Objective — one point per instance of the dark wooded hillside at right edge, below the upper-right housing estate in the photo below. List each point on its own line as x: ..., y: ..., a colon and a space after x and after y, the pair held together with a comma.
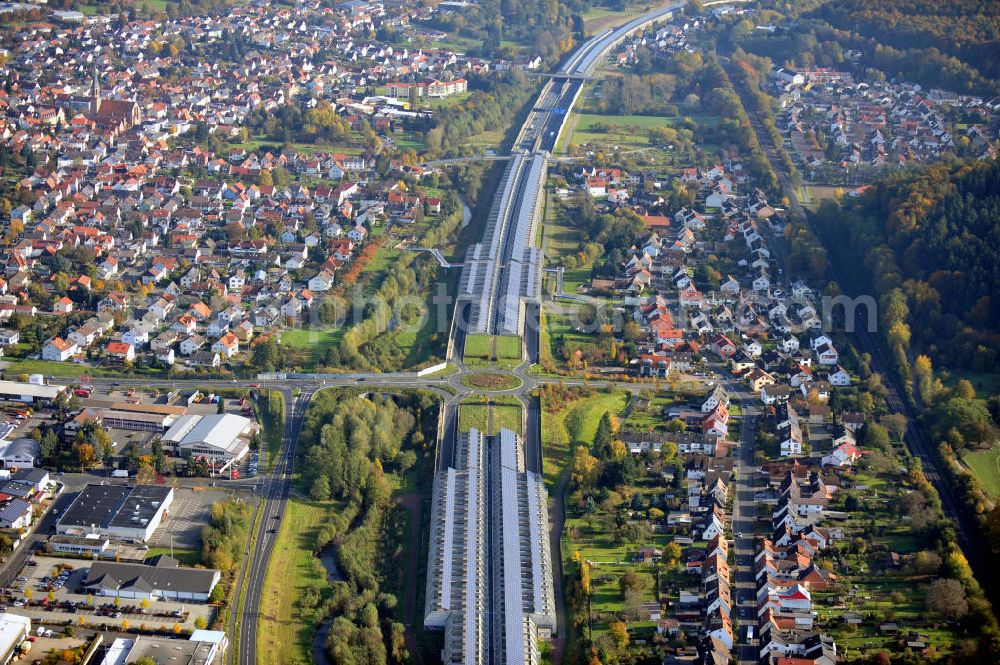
x: 927, y: 242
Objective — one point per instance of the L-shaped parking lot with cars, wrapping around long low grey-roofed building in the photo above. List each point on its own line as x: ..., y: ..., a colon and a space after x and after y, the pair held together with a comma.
x: 53, y: 587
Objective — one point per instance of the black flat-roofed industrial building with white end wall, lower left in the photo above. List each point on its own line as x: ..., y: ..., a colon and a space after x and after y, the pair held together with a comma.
x: 122, y: 513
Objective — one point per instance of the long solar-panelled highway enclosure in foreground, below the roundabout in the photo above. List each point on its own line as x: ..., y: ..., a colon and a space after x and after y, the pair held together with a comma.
x: 489, y: 569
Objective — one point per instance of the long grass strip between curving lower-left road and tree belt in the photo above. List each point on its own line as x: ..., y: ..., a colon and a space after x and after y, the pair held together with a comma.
x: 285, y: 631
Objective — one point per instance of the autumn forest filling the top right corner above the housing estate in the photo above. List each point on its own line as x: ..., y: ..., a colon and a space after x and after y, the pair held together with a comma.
x: 950, y: 45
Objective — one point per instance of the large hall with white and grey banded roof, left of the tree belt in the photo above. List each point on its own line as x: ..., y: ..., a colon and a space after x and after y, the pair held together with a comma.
x: 221, y: 438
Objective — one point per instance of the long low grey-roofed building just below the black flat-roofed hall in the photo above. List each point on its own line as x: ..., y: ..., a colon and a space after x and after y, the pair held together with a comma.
x: 157, y: 578
